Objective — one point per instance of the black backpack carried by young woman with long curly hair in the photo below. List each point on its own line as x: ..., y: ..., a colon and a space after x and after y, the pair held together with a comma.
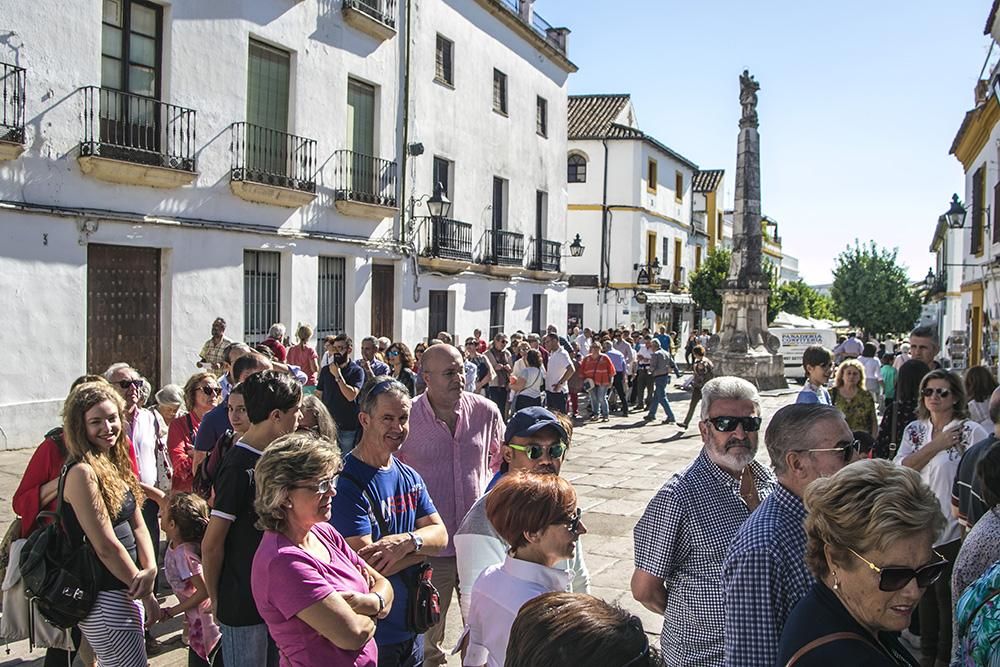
x: 60, y: 576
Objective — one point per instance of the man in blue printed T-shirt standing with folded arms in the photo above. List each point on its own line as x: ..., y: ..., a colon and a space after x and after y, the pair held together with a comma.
x: 383, y: 510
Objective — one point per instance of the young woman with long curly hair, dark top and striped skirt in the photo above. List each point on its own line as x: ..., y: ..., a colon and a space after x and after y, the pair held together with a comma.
x: 103, y: 502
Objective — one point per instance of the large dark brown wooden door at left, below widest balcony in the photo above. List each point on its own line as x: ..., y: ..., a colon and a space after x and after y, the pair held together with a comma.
x: 123, y: 309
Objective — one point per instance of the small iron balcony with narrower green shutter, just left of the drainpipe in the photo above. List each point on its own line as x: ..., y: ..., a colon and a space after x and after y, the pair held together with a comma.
x: 365, y: 186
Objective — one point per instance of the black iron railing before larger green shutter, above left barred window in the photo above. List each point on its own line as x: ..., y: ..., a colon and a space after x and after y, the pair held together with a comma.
x: 271, y: 157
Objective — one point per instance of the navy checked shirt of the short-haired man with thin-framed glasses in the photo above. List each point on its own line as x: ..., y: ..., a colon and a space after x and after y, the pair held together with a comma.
x: 763, y: 578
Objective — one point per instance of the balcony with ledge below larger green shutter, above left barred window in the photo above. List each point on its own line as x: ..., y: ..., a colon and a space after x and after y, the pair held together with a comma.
x: 272, y: 167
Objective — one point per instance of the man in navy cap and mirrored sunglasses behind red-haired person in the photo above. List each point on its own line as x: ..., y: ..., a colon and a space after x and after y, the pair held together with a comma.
x: 535, y: 440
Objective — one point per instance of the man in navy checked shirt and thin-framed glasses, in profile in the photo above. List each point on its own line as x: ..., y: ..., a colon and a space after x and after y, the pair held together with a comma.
x: 765, y: 575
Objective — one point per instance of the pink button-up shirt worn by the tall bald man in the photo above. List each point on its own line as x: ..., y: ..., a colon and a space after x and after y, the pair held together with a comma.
x: 456, y: 468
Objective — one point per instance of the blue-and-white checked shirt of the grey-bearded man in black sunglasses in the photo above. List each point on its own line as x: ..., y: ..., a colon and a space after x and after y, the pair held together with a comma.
x: 683, y: 538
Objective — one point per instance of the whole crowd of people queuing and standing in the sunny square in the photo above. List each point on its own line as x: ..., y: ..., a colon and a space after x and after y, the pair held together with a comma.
x: 327, y: 509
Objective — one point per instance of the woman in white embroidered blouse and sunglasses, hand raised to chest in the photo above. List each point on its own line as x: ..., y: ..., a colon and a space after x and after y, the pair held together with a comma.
x: 933, y: 445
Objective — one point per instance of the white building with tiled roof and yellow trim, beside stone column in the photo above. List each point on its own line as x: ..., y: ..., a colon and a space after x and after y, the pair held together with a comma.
x: 631, y: 201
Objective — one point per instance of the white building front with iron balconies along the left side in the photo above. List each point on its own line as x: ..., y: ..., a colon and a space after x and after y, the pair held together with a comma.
x: 166, y: 163
